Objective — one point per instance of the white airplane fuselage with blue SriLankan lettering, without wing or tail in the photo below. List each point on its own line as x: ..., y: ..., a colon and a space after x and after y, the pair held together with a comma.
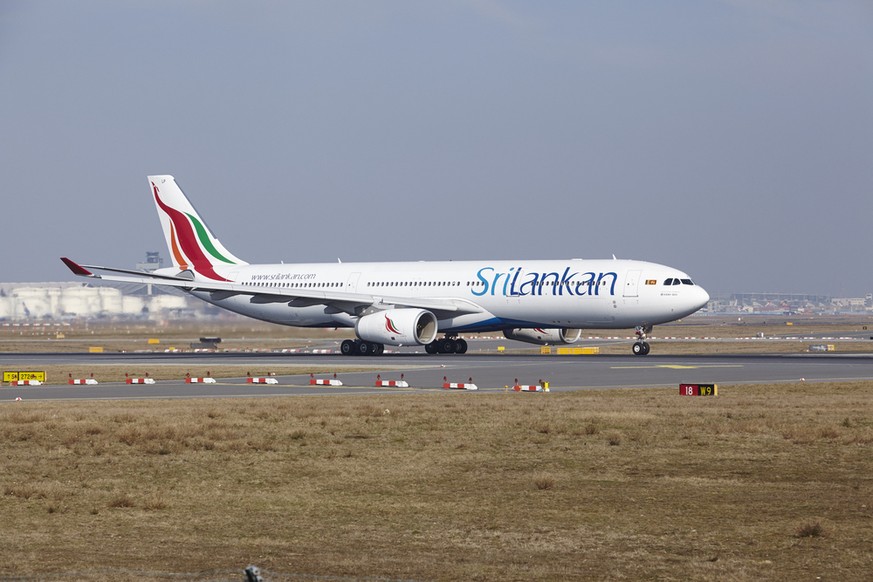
x: 577, y: 293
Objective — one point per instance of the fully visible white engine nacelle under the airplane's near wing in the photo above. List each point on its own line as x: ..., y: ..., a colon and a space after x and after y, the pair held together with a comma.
x: 398, y: 327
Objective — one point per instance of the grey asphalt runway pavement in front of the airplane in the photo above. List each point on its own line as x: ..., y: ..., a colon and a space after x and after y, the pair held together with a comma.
x: 489, y: 372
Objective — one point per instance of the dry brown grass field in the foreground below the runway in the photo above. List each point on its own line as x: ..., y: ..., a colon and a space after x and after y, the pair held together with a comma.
x: 761, y: 482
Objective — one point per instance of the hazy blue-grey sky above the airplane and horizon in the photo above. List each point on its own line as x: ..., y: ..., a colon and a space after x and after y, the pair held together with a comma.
x: 731, y: 139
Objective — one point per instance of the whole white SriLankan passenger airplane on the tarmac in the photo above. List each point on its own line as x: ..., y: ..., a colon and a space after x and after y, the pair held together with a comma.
x: 545, y: 302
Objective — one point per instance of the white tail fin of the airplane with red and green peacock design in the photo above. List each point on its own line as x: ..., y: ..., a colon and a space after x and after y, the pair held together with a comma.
x: 191, y: 243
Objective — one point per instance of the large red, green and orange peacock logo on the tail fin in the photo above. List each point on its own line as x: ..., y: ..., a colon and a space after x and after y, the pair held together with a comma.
x: 189, y: 238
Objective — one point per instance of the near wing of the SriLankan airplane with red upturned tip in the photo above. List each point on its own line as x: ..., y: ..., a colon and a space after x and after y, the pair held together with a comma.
x: 351, y: 303
